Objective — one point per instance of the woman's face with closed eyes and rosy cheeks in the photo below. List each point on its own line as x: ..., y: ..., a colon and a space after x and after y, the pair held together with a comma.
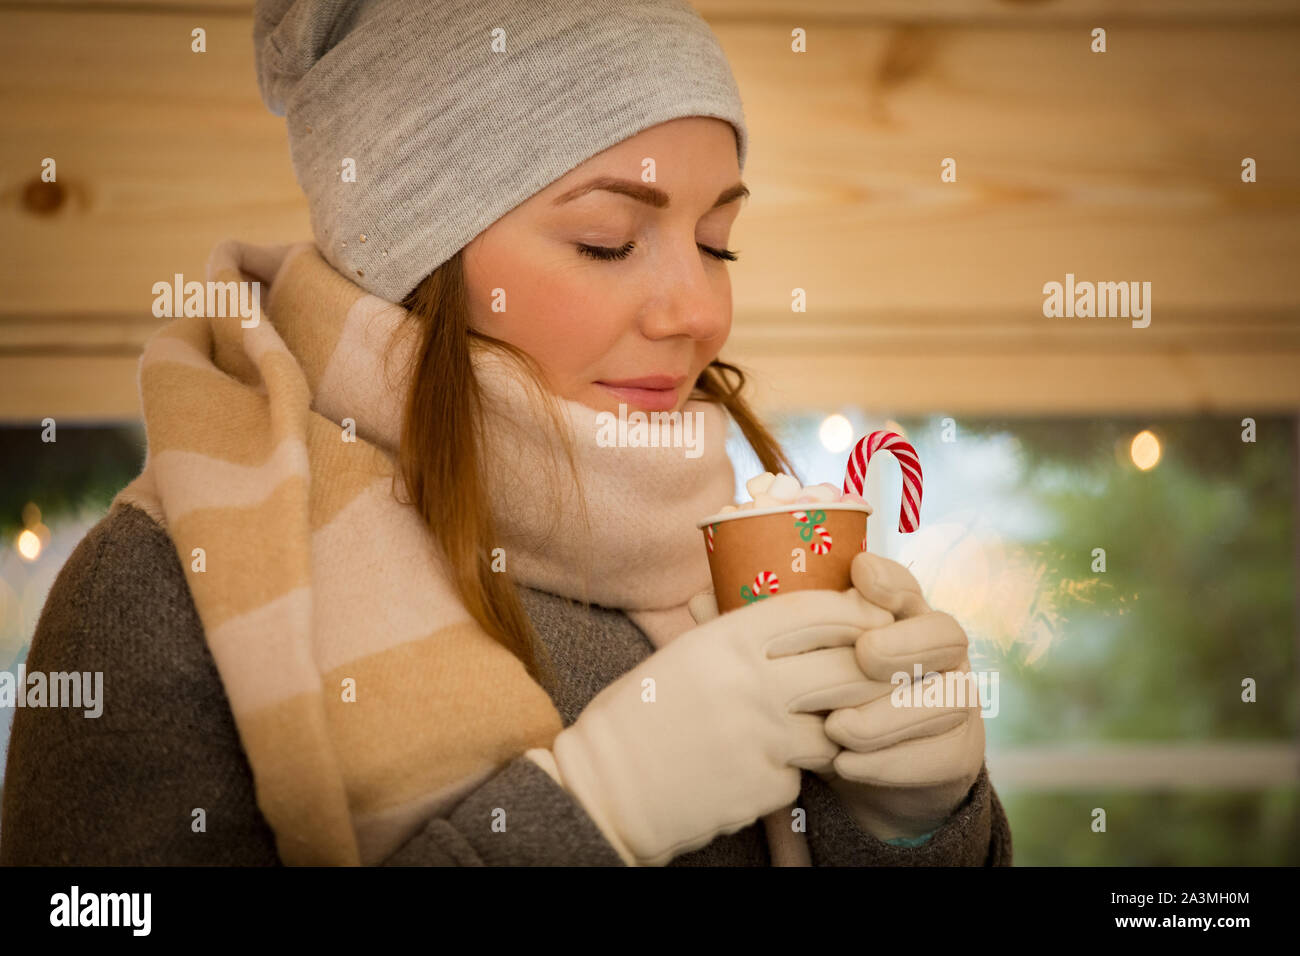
x: 619, y: 296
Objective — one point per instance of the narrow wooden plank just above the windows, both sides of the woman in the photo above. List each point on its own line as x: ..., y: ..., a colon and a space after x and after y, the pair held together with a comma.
x: 903, y: 364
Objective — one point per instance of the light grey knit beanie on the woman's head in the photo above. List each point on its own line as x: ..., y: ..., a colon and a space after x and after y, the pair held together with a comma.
x: 447, y: 133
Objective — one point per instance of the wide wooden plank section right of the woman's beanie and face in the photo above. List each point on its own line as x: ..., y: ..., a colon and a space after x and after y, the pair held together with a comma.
x: 1124, y: 167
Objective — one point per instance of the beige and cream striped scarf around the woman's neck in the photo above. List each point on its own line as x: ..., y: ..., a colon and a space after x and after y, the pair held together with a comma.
x: 366, y: 697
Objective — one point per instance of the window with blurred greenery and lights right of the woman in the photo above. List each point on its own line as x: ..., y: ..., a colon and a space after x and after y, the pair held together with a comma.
x: 1119, y: 689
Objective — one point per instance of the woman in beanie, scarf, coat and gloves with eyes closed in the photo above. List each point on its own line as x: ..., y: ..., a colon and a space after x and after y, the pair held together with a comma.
x: 382, y: 596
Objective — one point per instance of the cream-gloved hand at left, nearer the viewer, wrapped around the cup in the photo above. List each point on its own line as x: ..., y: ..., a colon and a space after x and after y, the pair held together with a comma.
x: 710, y: 733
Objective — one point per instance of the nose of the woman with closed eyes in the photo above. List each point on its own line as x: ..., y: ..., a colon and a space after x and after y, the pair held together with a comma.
x: 692, y: 297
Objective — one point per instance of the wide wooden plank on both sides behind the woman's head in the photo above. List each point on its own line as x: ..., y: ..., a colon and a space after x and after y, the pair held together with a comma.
x: 1113, y: 168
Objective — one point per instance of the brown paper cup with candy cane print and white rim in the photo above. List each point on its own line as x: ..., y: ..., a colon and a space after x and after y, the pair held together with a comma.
x: 752, y: 555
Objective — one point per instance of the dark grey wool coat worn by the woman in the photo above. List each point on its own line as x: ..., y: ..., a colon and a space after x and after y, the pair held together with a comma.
x: 116, y: 790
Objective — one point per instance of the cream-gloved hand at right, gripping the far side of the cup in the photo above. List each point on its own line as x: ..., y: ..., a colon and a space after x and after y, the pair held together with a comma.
x: 905, y: 769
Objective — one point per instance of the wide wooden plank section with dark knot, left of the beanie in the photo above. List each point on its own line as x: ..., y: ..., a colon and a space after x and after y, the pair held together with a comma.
x: 162, y: 154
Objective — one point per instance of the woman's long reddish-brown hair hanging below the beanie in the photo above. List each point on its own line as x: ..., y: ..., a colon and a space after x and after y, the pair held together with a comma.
x: 441, y: 455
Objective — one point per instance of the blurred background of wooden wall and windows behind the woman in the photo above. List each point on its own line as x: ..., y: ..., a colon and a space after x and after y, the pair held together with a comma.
x: 1043, y: 440
